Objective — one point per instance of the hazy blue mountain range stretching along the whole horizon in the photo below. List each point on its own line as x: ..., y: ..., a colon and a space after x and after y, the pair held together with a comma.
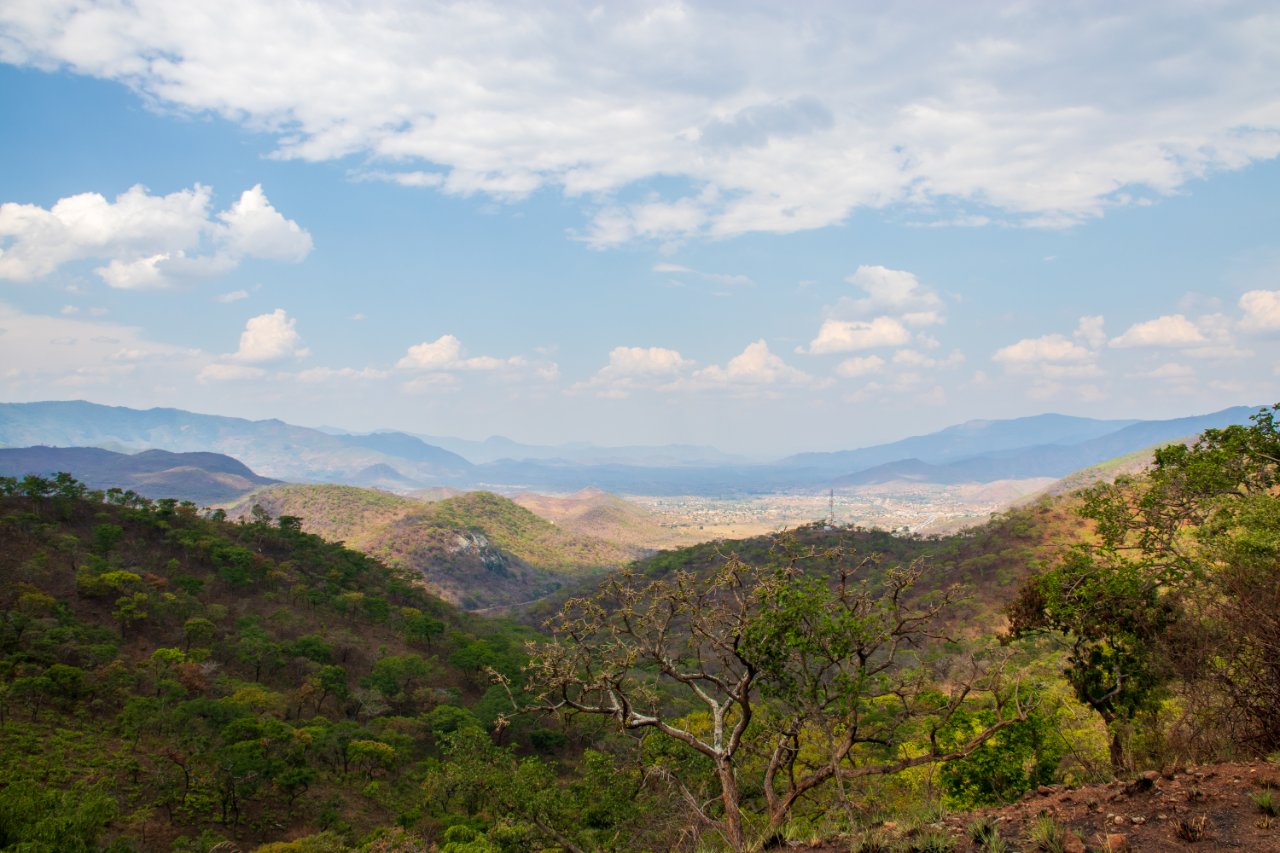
x: 981, y: 451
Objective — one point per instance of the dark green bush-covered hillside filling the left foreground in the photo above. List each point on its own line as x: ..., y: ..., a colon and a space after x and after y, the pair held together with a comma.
x: 168, y: 682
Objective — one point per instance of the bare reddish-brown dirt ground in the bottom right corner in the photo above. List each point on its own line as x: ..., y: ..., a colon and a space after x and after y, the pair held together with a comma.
x: 1183, y: 809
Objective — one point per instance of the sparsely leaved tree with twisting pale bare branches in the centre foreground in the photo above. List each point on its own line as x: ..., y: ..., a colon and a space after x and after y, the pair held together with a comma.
x: 817, y: 677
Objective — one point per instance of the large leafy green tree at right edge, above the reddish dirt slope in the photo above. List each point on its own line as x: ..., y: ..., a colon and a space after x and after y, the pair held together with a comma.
x: 1181, y: 586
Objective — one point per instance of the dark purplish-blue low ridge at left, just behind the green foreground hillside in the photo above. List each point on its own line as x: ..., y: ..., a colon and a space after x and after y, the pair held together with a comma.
x: 204, y: 478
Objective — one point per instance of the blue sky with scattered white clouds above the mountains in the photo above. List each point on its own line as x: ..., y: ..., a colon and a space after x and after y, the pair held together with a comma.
x: 760, y: 226
